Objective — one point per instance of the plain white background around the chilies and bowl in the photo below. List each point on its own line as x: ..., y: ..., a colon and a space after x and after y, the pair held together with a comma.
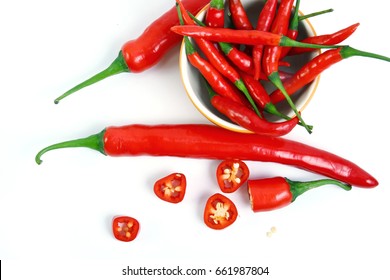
x: 55, y: 219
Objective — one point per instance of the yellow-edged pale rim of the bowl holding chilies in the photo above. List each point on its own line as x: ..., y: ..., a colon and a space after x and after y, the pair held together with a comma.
x: 210, y: 115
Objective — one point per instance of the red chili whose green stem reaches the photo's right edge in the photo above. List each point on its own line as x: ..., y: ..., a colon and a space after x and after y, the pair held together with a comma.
x: 316, y: 66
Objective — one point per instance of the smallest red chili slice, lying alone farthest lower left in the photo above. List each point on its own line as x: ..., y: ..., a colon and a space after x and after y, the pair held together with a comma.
x: 125, y: 228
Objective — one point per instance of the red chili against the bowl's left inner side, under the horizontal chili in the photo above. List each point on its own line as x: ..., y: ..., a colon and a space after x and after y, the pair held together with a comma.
x: 219, y: 84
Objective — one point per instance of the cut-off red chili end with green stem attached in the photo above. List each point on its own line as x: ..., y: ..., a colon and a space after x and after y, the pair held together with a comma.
x: 277, y: 192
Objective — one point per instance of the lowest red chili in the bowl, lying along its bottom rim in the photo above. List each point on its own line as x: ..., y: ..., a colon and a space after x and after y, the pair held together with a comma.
x: 247, y: 118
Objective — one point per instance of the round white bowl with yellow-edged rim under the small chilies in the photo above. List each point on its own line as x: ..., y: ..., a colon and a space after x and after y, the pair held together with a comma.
x: 198, y: 94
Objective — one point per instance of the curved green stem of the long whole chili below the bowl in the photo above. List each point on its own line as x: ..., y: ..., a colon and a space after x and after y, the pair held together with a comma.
x: 94, y: 142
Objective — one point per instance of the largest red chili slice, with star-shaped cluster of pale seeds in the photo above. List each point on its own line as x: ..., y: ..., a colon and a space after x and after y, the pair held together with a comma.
x: 219, y: 212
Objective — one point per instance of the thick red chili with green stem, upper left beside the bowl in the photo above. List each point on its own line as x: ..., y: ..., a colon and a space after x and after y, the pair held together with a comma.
x: 145, y: 51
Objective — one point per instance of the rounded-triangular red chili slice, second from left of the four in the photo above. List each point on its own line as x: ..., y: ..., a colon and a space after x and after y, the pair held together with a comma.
x: 171, y: 188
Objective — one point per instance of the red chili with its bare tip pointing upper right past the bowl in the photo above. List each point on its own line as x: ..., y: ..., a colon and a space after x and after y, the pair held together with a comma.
x: 328, y: 39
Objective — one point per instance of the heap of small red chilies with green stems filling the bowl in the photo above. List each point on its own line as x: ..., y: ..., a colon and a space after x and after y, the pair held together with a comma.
x: 254, y: 53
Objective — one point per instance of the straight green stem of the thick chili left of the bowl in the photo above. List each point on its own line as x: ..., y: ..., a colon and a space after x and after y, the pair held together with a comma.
x: 117, y: 66
